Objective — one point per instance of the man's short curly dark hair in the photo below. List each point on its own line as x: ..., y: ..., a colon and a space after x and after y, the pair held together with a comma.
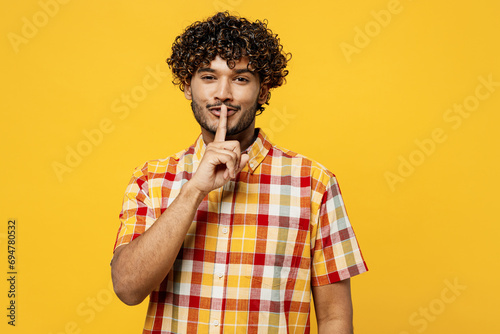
x: 230, y: 38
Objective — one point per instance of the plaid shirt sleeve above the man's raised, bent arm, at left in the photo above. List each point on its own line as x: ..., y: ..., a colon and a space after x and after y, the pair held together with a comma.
x: 137, y: 213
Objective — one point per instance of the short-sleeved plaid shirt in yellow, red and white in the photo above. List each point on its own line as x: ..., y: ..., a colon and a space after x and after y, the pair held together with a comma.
x: 255, y: 247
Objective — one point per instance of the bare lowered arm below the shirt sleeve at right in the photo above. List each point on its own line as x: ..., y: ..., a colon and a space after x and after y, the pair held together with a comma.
x: 333, y: 307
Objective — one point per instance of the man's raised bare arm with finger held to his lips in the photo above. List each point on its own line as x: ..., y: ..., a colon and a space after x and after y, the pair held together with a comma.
x: 140, y: 266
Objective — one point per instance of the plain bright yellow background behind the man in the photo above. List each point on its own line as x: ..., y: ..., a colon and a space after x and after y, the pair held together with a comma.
x: 358, y: 114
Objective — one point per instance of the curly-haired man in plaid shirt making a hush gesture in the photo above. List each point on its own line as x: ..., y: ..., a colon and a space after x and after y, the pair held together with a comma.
x: 232, y: 234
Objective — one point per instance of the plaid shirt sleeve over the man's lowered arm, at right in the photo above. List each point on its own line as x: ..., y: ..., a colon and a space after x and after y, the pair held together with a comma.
x: 335, y: 251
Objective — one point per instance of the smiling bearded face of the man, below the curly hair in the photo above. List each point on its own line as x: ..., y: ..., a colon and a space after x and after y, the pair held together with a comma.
x: 238, y: 88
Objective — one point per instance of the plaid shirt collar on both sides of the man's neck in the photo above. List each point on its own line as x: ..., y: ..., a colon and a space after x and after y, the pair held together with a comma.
x: 257, y: 151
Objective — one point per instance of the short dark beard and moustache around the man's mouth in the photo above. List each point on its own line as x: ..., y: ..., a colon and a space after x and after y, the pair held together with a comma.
x: 246, y: 120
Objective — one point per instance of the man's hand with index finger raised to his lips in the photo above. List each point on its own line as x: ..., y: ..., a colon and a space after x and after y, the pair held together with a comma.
x: 222, y: 159
